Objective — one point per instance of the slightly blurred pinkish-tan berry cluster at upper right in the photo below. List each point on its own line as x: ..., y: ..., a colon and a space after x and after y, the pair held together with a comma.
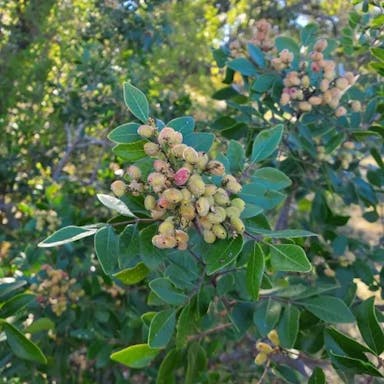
x: 316, y: 83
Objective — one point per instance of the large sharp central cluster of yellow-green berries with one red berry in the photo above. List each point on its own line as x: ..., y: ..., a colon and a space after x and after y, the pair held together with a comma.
x: 181, y: 191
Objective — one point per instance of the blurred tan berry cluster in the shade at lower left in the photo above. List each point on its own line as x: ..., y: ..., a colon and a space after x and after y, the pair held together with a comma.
x: 57, y: 290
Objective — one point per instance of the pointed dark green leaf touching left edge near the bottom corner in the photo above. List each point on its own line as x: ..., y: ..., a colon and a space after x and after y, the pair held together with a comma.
x: 21, y: 346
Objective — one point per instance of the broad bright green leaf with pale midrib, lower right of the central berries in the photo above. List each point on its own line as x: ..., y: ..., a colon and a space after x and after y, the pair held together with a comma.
x: 289, y: 257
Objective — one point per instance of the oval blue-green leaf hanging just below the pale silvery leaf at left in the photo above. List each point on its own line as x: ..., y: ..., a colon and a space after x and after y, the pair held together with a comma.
x: 107, y: 249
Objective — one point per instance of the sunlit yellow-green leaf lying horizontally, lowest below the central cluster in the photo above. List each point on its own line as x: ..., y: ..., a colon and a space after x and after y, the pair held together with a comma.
x: 135, y: 356
